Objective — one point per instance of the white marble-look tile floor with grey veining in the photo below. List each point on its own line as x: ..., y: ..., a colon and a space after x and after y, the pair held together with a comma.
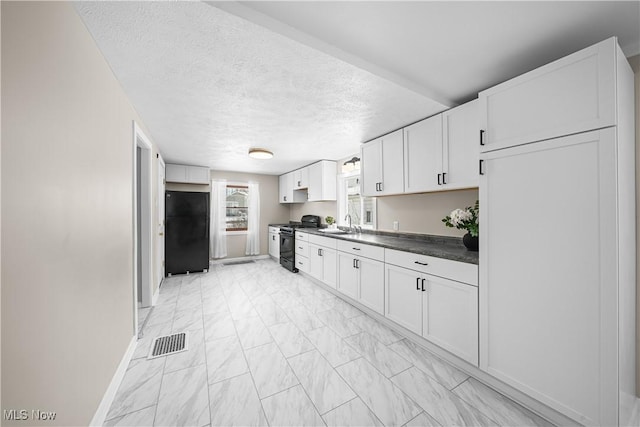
x: 272, y: 348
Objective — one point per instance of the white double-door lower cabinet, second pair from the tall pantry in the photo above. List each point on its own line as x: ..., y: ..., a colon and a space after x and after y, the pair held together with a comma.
x: 362, y: 279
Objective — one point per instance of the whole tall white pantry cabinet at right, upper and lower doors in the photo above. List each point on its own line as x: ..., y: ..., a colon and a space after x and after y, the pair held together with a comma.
x: 557, y: 253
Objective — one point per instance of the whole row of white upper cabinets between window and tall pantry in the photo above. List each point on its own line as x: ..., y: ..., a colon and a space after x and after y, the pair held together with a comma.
x: 436, y: 154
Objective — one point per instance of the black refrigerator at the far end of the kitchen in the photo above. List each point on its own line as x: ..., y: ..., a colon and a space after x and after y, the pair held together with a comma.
x: 186, y: 232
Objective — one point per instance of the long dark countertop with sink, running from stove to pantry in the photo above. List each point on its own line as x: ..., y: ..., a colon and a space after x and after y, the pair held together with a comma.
x: 424, y: 244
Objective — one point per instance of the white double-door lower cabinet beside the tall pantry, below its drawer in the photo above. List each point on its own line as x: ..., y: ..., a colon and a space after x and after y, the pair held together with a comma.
x: 443, y: 311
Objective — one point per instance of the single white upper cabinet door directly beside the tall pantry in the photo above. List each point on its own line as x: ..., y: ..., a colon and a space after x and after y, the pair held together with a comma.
x: 460, y: 146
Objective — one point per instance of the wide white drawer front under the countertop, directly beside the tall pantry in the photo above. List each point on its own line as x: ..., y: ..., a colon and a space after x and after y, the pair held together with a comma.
x: 454, y: 270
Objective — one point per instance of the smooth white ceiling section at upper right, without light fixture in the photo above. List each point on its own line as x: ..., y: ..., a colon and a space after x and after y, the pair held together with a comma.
x: 450, y: 50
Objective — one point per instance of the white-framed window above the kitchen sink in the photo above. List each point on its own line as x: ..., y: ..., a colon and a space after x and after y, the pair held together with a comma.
x: 361, y: 208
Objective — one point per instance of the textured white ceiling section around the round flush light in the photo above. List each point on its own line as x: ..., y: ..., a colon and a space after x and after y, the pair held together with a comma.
x: 210, y: 85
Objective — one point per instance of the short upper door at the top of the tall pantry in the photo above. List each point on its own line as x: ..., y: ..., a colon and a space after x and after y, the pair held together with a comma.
x: 571, y: 95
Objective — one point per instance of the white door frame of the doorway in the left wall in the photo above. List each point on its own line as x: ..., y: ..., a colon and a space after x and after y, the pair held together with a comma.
x: 141, y: 141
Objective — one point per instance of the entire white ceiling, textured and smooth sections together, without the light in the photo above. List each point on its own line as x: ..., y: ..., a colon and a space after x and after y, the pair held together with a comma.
x: 312, y: 80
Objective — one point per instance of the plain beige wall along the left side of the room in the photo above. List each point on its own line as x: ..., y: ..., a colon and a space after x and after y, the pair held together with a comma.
x: 67, y: 214
